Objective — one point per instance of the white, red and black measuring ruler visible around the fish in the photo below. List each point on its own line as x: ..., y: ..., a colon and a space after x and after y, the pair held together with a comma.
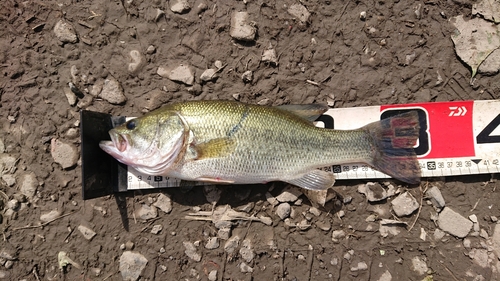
x: 456, y: 138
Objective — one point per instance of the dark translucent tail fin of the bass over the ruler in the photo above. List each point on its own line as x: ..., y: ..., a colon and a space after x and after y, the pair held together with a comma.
x: 392, y: 145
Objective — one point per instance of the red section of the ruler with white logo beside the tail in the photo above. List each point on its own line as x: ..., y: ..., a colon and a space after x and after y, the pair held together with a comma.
x: 448, y: 126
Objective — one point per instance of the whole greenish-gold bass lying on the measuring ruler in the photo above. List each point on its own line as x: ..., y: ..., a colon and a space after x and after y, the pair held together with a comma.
x: 236, y: 143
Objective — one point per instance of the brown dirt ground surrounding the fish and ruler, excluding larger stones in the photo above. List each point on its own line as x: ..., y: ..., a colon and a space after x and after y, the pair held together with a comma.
x: 354, y: 62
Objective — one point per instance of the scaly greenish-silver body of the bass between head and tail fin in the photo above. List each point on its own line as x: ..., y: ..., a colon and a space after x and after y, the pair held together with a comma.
x: 270, y: 143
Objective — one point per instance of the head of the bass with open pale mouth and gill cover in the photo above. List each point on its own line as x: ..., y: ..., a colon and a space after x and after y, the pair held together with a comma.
x: 151, y: 144
